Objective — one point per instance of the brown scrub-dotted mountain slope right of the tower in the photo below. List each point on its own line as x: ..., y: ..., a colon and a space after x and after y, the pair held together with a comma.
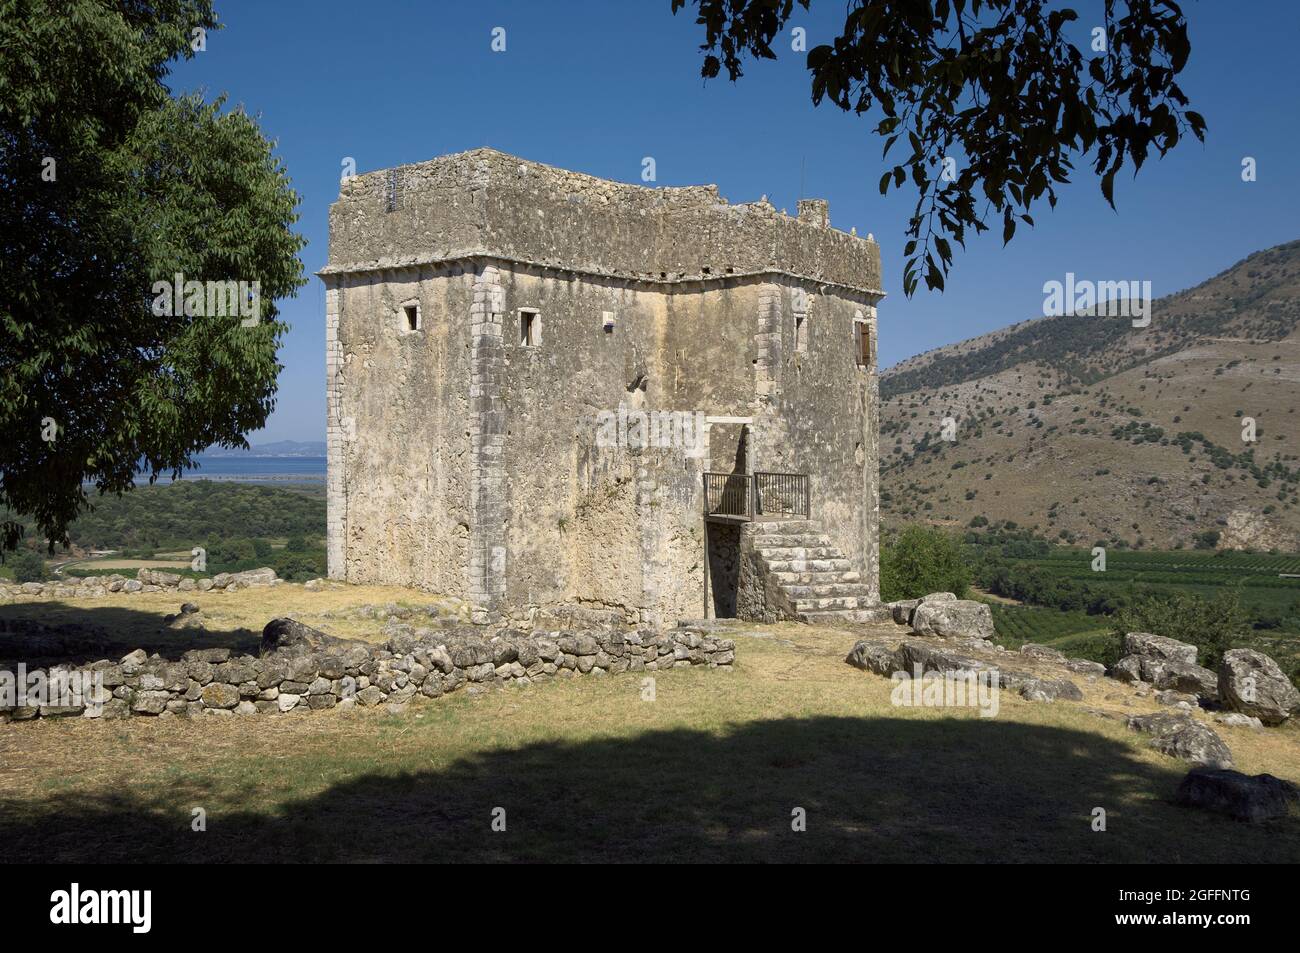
x: 1090, y: 430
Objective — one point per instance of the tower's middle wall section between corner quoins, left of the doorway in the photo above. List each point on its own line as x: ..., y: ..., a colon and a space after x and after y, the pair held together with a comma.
x: 614, y: 525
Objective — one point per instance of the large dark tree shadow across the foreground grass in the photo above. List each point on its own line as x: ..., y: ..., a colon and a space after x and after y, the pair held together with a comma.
x: 883, y: 790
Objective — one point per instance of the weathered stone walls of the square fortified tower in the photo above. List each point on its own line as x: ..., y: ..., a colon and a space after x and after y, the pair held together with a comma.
x: 466, y: 462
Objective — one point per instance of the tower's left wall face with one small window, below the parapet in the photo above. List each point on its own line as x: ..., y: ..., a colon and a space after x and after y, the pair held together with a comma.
x: 401, y: 475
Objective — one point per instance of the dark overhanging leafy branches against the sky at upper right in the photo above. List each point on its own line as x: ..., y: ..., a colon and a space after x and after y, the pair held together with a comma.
x: 995, y: 86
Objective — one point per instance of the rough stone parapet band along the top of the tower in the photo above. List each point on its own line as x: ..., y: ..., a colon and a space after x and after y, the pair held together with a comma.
x: 487, y: 202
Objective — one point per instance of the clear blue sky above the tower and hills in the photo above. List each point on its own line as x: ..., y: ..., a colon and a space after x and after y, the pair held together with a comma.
x: 599, y: 85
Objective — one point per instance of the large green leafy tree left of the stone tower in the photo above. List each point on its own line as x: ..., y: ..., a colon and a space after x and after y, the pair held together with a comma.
x: 109, y: 185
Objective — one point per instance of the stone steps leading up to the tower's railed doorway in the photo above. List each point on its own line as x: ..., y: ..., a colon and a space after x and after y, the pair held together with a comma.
x: 813, y: 579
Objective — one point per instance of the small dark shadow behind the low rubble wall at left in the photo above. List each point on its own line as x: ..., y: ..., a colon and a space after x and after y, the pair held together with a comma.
x: 77, y: 635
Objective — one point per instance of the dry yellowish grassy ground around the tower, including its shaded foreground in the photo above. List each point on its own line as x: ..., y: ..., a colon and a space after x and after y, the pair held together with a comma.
x: 710, y: 770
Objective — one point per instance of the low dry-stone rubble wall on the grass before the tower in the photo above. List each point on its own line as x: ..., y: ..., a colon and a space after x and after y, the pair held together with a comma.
x: 414, y: 664
